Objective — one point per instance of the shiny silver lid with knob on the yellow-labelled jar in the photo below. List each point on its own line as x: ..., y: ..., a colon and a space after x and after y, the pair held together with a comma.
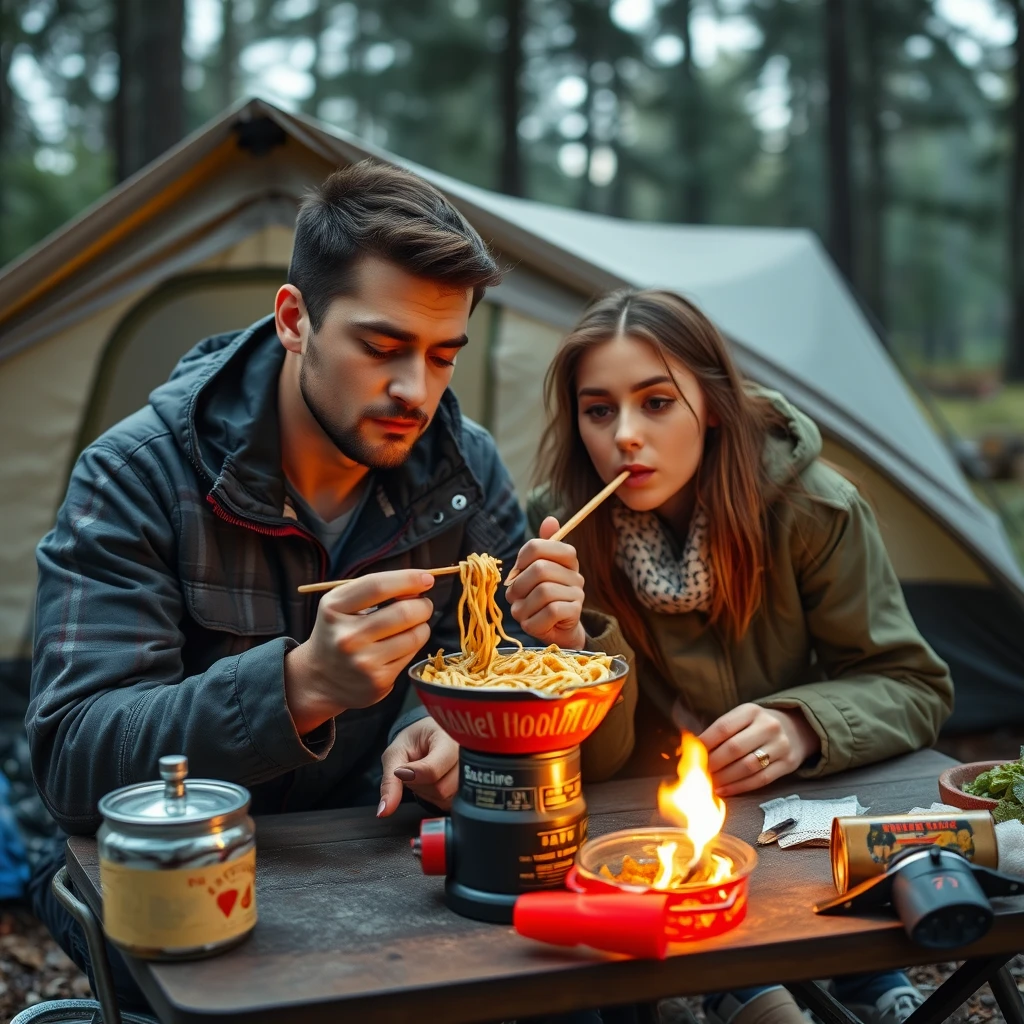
x: 175, y: 802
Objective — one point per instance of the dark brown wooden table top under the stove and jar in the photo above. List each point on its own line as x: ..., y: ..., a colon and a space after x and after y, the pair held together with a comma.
x: 351, y: 929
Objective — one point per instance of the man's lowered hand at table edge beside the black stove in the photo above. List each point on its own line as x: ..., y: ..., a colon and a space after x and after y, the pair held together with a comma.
x: 425, y: 758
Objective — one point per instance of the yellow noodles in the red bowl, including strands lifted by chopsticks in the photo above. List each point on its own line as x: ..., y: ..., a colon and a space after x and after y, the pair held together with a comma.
x: 551, y: 671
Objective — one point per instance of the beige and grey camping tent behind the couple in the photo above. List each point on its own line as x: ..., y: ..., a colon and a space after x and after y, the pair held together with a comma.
x: 97, y: 316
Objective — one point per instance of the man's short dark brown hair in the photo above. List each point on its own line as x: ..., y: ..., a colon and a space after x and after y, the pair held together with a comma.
x: 373, y: 209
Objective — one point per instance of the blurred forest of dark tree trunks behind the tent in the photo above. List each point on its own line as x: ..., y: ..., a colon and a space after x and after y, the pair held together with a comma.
x: 894, y: 130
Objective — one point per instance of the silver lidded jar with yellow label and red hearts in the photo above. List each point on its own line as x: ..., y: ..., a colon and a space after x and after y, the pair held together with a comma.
x: 178, y: 866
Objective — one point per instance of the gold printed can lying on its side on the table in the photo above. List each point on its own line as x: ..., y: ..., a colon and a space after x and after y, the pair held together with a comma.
x: 863, y: 847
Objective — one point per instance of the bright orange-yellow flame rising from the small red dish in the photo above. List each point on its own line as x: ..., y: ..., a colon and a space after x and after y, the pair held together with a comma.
x: 692, y: 804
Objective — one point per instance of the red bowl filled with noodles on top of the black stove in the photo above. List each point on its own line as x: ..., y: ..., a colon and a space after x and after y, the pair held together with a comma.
x: 545, y: 700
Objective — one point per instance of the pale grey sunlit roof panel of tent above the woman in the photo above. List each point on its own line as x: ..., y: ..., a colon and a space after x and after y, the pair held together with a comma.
x: 778, y: 296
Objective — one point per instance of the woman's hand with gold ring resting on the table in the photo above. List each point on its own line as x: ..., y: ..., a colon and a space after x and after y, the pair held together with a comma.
x: 784, y: 735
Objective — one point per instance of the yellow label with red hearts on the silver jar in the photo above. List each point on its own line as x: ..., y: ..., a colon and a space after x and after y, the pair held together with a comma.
x: 180, y: 909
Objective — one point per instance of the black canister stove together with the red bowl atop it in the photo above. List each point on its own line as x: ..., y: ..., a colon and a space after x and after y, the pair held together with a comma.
x: 520, y: 817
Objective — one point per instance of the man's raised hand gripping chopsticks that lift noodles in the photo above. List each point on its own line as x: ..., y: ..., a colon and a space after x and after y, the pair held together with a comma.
x: 366, y: 633
